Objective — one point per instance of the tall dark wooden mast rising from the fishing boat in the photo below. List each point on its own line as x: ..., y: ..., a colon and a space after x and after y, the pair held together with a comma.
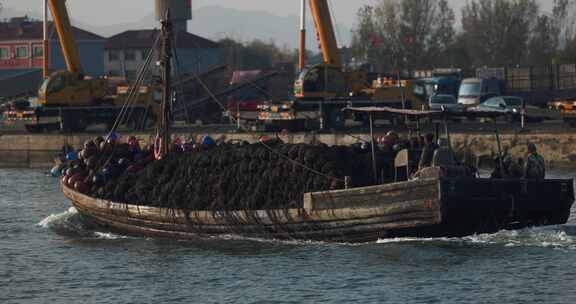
x: 163, y: 136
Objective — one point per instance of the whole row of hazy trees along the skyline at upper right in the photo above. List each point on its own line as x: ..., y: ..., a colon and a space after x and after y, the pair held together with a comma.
x: 420, y: 34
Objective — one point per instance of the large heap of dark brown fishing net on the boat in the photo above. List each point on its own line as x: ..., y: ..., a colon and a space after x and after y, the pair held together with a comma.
x: 234, y: 177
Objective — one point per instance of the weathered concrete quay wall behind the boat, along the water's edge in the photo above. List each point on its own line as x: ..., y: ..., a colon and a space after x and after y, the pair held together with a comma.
x: 38, y: 151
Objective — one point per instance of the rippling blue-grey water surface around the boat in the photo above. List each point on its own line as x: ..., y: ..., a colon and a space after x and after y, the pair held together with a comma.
x: 48, y: 256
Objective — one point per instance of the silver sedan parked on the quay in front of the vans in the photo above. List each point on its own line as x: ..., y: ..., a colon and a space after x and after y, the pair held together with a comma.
x: 511, y: 106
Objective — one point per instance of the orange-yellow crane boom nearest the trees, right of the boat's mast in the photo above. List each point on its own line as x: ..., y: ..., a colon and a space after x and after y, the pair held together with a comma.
x: 325, y: 32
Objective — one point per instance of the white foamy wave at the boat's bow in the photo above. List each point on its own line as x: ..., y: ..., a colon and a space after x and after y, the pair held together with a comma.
x: 70, y: 224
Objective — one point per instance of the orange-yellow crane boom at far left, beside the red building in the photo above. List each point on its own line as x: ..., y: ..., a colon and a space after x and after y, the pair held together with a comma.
x: 66, y: 36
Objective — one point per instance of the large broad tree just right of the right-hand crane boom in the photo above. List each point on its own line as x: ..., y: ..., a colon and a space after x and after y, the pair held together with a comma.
x: 406, y: 34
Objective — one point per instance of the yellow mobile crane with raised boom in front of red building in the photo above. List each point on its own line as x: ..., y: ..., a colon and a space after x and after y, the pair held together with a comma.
x: 70, y: 101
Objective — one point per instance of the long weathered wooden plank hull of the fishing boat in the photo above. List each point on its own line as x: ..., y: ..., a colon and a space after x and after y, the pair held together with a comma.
x: 424, y: 208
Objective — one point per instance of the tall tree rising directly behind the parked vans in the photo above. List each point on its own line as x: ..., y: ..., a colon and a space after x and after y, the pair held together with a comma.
x: 497, y: 32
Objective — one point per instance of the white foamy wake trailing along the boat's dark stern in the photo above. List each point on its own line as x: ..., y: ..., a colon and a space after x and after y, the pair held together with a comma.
x: 543, y: 237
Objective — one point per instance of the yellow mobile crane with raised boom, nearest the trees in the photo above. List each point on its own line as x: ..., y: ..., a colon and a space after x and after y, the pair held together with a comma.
x: 321, y: 91
